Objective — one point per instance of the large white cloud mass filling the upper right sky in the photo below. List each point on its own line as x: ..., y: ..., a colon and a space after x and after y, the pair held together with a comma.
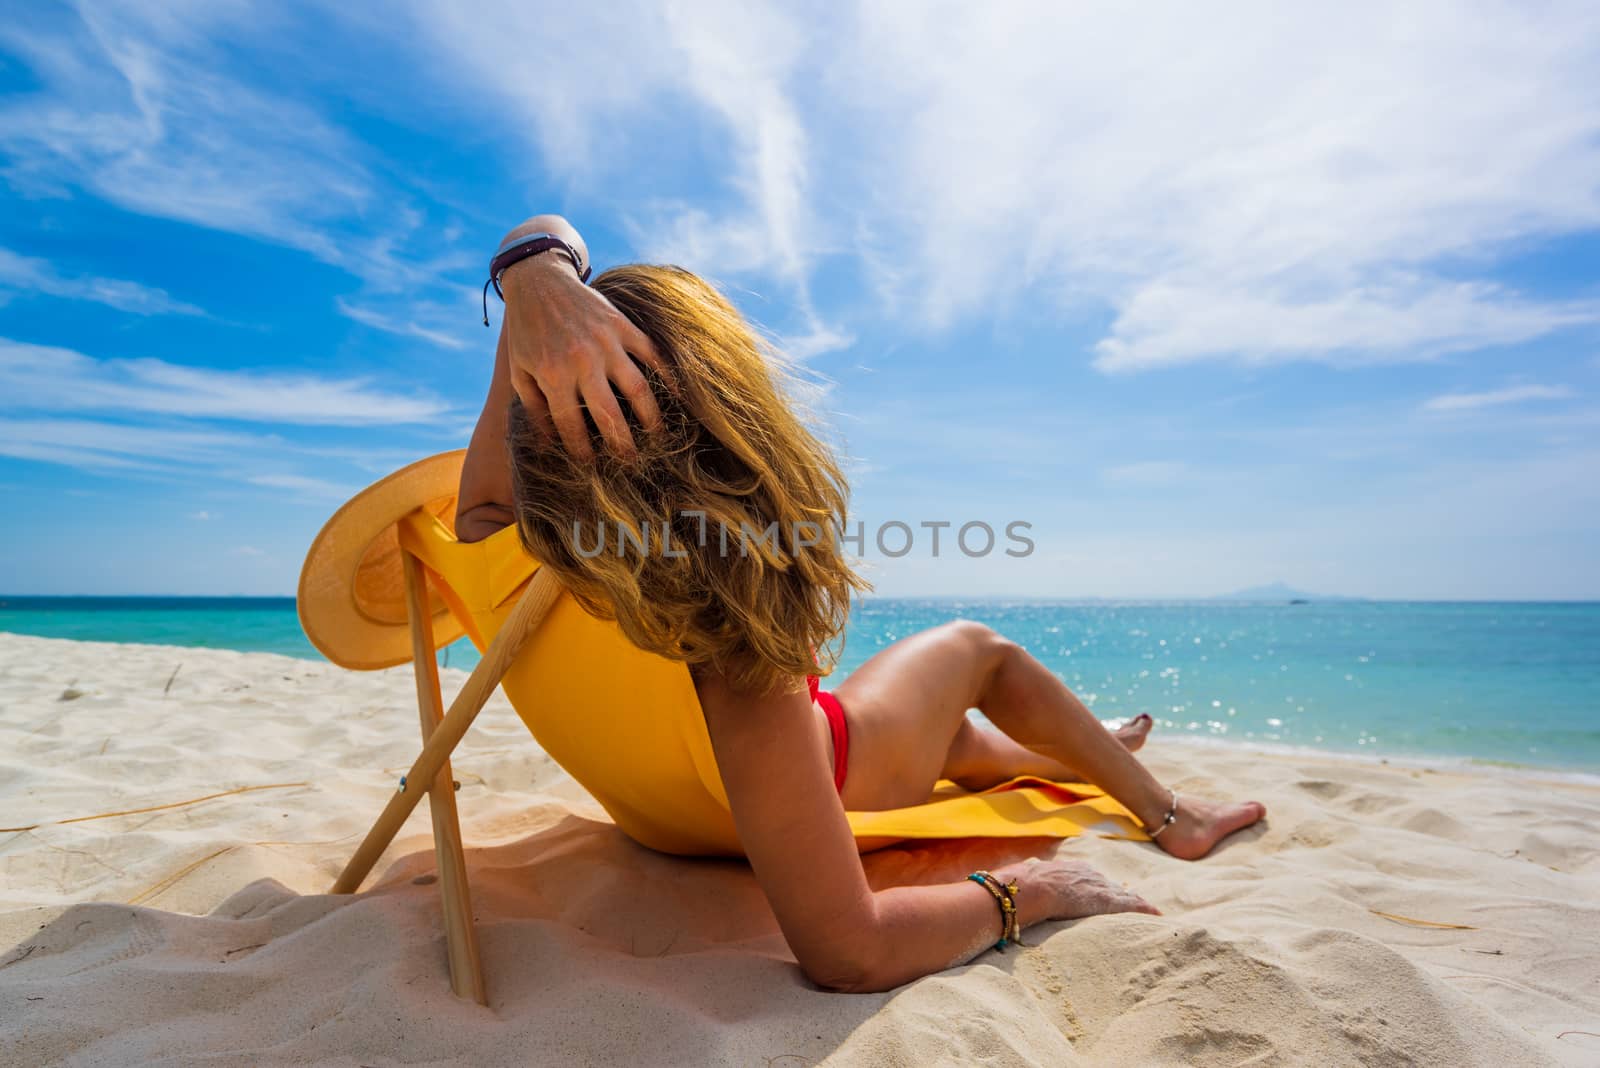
x: 1281, y: 194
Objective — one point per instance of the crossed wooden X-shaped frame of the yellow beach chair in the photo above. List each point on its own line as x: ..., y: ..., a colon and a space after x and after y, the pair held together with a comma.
x: 431, y: 771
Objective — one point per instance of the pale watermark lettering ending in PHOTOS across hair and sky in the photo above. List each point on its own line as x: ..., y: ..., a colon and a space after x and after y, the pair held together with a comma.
x: 894, y: 540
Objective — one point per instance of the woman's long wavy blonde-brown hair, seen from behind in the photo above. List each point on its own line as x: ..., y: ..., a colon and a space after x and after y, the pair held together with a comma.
x: 734, y: 458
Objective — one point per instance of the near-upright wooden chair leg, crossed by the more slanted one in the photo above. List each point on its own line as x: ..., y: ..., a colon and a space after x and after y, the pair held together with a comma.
x: 462, y: 939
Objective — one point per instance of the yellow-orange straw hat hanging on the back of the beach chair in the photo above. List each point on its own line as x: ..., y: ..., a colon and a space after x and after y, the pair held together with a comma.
x: 353, y: 586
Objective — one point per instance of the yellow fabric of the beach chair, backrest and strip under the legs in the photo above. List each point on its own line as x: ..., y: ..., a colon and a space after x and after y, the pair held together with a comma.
x: 628, y: 723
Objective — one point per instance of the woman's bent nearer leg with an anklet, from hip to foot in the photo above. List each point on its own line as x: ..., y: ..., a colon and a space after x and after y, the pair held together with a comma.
x: 908, y: 707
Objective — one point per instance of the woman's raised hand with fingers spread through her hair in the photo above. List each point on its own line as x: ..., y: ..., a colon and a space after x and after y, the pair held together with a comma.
x: 570, y: 353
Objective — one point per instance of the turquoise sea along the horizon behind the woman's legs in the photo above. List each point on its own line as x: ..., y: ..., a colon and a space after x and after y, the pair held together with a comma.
x: 1497, y: 682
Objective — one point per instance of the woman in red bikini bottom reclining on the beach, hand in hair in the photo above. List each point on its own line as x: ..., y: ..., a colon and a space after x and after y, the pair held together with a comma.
x: 718, y: 437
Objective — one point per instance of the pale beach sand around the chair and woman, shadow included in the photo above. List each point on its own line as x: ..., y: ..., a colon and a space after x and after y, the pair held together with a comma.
x: 202, y: 933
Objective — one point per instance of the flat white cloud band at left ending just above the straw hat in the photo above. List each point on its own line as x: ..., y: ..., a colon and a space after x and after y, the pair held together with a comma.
x: 60, y: 380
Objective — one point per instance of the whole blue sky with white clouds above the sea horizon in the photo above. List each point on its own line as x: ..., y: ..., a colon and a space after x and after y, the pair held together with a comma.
x: 1210, y: 297
